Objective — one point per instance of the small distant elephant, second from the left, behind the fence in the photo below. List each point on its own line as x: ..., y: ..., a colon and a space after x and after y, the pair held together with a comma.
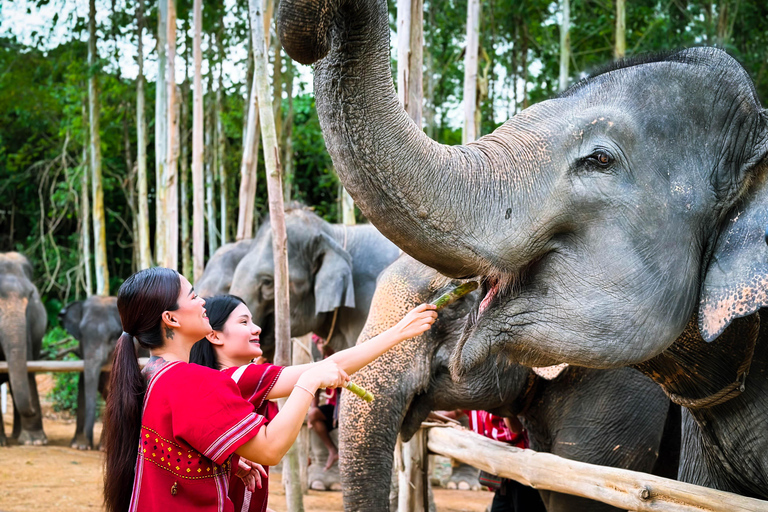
x: 95, y: 324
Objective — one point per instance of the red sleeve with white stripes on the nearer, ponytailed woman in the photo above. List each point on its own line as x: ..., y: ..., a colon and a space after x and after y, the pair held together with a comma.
x: 213, y: 417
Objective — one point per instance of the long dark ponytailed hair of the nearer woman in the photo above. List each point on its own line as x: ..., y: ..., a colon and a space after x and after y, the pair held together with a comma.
x: 141, y: 301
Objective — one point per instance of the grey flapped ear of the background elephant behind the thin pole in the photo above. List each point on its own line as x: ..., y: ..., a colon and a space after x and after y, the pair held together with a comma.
x: 333, y: 281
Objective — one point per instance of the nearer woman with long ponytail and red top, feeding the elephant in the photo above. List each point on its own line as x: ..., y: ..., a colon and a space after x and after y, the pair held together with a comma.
x: 171, y: 430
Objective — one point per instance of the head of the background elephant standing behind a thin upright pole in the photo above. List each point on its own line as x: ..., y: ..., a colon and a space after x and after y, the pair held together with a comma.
x: 320, y: 276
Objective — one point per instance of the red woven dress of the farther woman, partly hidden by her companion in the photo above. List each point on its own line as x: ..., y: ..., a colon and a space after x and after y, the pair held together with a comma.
x: 255, y: 382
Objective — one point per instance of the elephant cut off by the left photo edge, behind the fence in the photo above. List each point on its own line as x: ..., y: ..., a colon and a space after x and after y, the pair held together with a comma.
x: 22, y: 325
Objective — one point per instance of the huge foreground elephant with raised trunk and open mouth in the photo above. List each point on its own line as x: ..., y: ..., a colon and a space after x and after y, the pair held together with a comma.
x: 622, y: 222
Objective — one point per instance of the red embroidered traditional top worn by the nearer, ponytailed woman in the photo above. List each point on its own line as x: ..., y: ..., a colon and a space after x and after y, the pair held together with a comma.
x: 193, y: 421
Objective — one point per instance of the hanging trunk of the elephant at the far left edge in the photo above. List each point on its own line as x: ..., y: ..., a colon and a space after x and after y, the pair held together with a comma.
x: 15, y: 337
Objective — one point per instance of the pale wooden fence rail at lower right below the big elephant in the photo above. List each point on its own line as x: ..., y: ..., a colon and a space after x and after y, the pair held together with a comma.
x: 628, y: 490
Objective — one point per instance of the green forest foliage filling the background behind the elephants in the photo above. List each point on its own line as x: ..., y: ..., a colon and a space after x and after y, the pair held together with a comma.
x: 46, y: 149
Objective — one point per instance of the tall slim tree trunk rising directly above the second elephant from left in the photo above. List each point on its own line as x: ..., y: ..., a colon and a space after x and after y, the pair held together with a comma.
x: 99, y: 225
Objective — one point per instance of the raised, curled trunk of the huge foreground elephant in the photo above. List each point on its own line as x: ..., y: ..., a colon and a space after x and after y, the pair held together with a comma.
x: 429, y: 199
